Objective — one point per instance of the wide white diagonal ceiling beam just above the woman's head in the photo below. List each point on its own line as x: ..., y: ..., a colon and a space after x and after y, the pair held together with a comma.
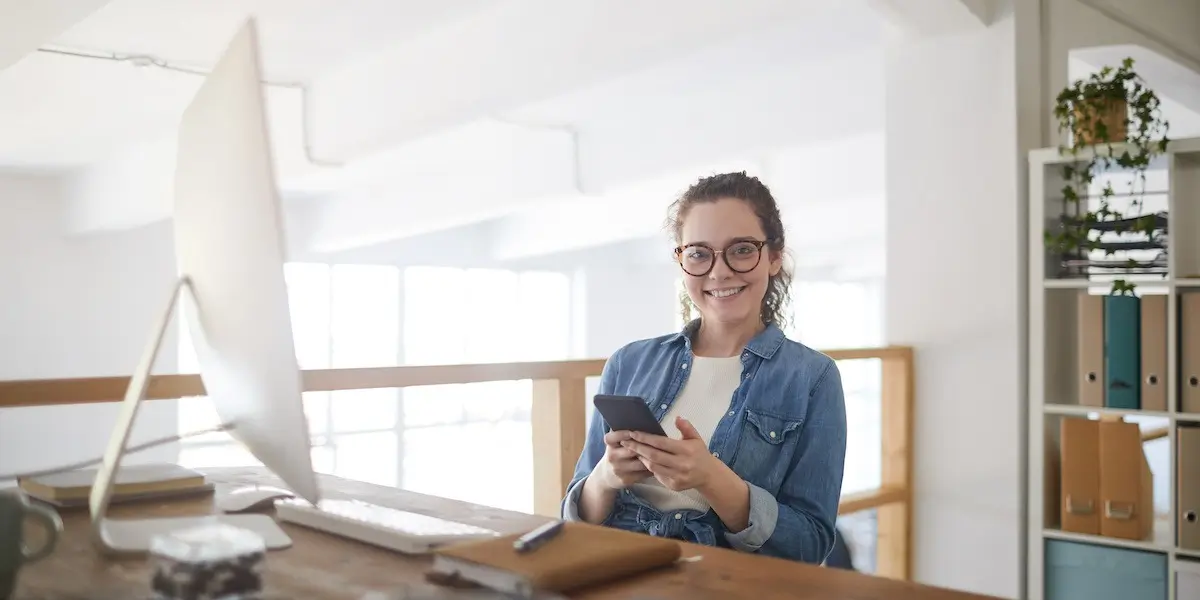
x: 619, y: 154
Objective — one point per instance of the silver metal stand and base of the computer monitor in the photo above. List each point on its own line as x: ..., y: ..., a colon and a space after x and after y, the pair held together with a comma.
x: 134, y: 536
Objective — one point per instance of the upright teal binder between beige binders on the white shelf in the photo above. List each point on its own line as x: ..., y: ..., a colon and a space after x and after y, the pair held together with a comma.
x: 1123, y: 352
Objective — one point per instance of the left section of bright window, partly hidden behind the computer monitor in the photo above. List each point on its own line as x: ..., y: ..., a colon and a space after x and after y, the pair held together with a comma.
x: 343, y: 316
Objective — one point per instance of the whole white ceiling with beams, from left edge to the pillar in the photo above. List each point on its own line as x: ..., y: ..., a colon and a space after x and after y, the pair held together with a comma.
x: 691, y: 83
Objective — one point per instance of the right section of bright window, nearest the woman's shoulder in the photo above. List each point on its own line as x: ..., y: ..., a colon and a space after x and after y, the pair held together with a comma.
x: 479, y: 431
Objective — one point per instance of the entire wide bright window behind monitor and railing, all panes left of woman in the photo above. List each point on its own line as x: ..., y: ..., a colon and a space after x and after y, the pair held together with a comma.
x: 361, y: 316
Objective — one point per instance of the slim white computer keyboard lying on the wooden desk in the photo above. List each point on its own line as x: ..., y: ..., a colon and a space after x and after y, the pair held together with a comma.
x: 381, y: 526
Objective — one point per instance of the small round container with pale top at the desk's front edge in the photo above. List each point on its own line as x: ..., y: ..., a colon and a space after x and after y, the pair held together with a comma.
x: 207, y: 563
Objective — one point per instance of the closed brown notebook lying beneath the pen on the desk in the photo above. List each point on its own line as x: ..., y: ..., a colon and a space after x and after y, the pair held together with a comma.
x: 583, y: 555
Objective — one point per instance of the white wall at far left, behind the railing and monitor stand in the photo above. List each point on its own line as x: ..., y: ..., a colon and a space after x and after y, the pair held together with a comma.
x: 75, y: 308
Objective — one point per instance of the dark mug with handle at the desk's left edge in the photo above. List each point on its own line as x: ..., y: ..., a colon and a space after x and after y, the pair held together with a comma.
x: 15, y: 554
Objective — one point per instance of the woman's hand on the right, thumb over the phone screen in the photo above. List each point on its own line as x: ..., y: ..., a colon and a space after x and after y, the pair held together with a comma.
x: 679, y: 465
